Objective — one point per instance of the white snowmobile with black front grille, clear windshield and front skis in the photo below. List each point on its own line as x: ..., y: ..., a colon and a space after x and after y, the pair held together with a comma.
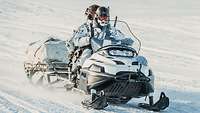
x: 116, y: 72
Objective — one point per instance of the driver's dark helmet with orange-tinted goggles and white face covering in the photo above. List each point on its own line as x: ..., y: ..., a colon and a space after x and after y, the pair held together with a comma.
x: 102, y: 15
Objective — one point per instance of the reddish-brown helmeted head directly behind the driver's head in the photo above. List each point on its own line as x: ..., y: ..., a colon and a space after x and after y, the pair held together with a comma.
x: 91, y: 11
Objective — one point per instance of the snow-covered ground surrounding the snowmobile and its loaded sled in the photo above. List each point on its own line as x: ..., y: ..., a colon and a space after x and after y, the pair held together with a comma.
x: 170, y: 35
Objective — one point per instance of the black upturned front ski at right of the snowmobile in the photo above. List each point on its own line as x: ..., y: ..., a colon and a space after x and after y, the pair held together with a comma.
x: 161, y: 104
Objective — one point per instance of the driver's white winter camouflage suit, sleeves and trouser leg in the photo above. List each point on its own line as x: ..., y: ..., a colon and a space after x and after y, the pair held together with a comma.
x: 82, y: 38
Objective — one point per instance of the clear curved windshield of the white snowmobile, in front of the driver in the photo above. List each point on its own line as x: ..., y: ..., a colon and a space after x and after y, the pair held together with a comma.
x: 115, y: 34
